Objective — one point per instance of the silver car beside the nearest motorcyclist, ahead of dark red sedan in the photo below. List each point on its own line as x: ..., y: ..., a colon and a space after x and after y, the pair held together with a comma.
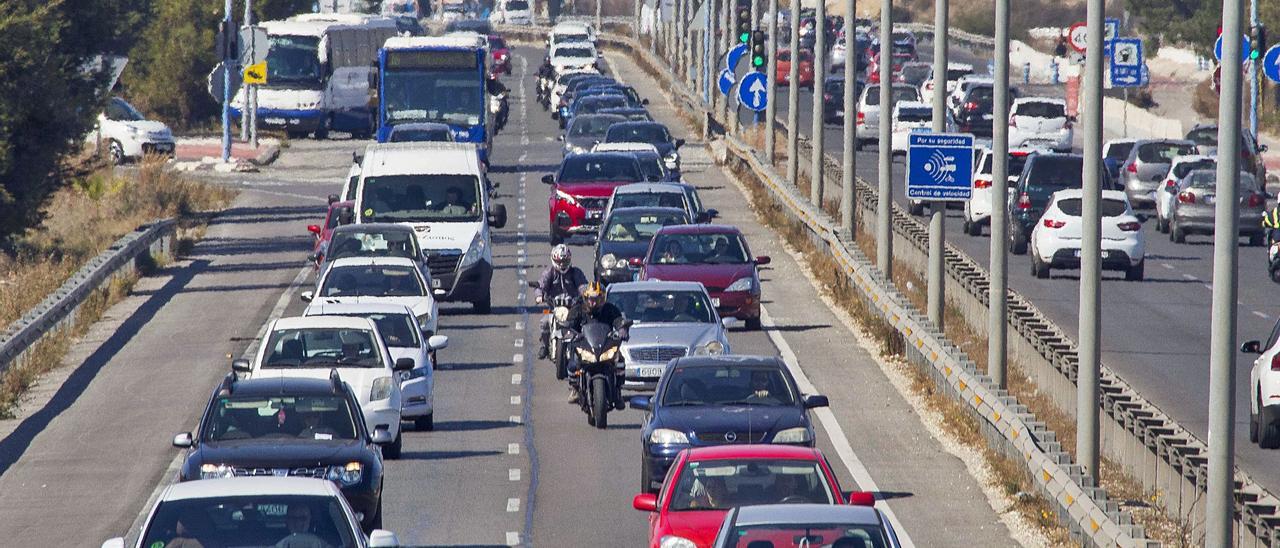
x: 670, y: 321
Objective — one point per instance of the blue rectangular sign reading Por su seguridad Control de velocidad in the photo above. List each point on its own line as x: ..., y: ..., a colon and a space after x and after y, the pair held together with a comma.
x: 940, y: 167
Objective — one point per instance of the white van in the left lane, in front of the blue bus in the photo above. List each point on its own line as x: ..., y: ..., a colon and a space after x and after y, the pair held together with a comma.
x: 442, y: 191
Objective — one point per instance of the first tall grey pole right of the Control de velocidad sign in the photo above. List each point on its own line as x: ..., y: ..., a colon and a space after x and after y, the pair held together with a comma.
x: 998, y: 326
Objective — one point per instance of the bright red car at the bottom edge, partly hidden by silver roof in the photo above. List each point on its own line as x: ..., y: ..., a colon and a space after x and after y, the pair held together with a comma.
x: 707, y: 482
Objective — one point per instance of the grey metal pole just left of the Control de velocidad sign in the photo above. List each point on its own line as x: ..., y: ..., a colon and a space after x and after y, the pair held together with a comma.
x: 885, y: 200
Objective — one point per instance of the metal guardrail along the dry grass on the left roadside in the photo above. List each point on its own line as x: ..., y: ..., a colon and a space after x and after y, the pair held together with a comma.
x: 60, y: 309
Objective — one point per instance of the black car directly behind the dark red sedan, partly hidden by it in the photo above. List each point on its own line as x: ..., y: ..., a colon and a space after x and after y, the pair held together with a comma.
x: 625, y: 235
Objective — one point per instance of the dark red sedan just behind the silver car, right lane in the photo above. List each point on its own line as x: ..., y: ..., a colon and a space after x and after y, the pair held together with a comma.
x: 715, y: 255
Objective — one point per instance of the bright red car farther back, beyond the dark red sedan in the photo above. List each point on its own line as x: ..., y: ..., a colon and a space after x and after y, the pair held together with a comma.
x: 582, y: 189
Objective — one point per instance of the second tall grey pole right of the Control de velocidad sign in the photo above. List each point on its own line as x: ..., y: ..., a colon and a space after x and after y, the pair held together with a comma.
x: 1091, y: 252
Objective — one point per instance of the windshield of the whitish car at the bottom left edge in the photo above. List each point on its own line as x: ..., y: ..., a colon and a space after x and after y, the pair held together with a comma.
x: 250, y: 520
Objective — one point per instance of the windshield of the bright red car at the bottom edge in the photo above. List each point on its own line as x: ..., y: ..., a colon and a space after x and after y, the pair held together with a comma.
x: 724, y: 485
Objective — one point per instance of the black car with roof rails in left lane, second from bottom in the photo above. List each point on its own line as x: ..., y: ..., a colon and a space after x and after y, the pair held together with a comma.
x: 290, y: 427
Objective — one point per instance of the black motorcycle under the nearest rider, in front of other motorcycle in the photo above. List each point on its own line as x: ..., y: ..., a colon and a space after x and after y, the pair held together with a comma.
x: 597, y: 371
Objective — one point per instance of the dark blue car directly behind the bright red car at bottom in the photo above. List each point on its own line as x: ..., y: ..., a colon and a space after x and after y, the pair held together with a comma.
x: 724, y: 400
